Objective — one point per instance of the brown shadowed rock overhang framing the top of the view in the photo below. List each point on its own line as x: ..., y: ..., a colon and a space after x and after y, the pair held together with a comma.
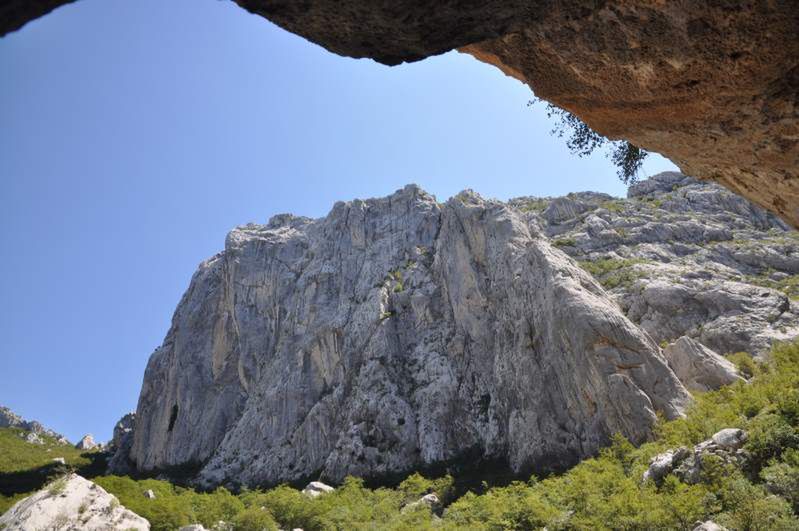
x: 713, y: 86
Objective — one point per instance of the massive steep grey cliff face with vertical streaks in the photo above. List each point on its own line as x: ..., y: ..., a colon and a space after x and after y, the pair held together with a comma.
x: 393, y: 334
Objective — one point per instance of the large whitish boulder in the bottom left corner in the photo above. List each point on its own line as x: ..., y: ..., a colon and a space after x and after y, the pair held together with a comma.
x: 70, y: 504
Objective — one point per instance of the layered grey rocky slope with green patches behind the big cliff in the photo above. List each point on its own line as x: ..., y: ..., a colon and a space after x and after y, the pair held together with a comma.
x: 683, y: 258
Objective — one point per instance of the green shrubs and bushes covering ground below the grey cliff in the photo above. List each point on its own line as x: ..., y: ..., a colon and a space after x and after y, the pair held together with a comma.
x: 606, y: 492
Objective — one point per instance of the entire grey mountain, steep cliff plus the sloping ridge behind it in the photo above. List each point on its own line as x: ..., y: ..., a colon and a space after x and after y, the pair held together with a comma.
x: 399, y: 333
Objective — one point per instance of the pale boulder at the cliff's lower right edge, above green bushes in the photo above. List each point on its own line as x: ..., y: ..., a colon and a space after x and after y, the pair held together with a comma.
x: 698, y: 367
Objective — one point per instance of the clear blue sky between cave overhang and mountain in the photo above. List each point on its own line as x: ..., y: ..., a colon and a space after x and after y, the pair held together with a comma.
x: 135, y: 134
